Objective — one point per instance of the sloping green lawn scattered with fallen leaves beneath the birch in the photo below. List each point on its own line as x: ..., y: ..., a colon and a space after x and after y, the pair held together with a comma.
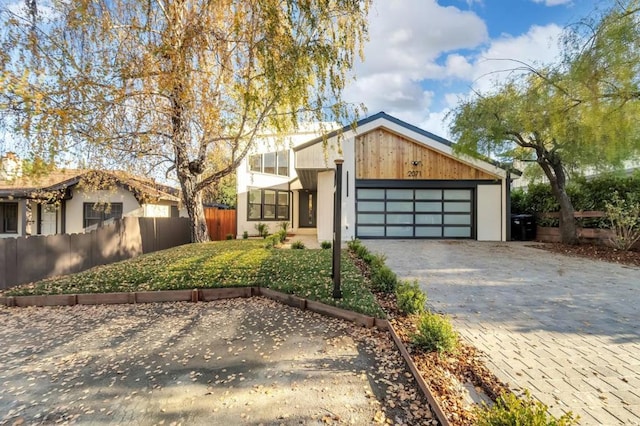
x: 236, y: 263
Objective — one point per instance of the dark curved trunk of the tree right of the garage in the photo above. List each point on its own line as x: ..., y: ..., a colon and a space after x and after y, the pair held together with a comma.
x: 555, y: 173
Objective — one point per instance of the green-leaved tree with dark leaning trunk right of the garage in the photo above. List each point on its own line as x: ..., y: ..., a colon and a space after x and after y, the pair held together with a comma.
x: 581, y: 111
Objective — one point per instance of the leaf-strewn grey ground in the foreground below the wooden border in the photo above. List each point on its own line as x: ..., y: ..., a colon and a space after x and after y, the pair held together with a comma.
x: 240, y: 361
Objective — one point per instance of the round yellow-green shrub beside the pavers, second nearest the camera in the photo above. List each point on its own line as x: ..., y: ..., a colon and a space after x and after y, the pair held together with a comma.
x: 435, y: 333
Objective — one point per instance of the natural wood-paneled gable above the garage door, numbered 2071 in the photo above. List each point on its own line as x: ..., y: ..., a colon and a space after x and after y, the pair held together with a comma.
x: 381, y: 154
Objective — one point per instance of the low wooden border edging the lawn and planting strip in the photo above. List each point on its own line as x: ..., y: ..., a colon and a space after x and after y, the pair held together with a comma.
x: 210, y: 294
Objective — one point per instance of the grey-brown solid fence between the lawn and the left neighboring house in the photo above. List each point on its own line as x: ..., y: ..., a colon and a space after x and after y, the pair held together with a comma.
x: 28, y: 259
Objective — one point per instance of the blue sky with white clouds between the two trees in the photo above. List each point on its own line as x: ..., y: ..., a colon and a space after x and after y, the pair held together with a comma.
x: 424, y: 55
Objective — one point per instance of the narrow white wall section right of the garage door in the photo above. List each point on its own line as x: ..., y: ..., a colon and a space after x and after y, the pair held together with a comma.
x: 490, y: 213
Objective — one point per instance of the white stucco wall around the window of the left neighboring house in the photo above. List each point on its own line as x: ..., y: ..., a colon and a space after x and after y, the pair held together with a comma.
x: 74, y: 207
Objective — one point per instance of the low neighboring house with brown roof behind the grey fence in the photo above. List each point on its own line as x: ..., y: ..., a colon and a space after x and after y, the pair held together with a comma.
x: 64, y: 202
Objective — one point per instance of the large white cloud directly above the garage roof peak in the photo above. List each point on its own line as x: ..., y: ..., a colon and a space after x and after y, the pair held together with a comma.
x: 407, y: 38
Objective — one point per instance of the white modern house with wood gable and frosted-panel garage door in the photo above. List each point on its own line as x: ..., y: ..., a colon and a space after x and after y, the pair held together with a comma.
x: 399, y: 181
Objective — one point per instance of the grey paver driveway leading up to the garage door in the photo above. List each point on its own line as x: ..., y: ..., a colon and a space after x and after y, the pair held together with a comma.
x: 566, y: 328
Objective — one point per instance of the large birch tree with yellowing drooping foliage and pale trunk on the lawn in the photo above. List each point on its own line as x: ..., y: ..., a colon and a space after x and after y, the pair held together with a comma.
x: 151, y: 82
